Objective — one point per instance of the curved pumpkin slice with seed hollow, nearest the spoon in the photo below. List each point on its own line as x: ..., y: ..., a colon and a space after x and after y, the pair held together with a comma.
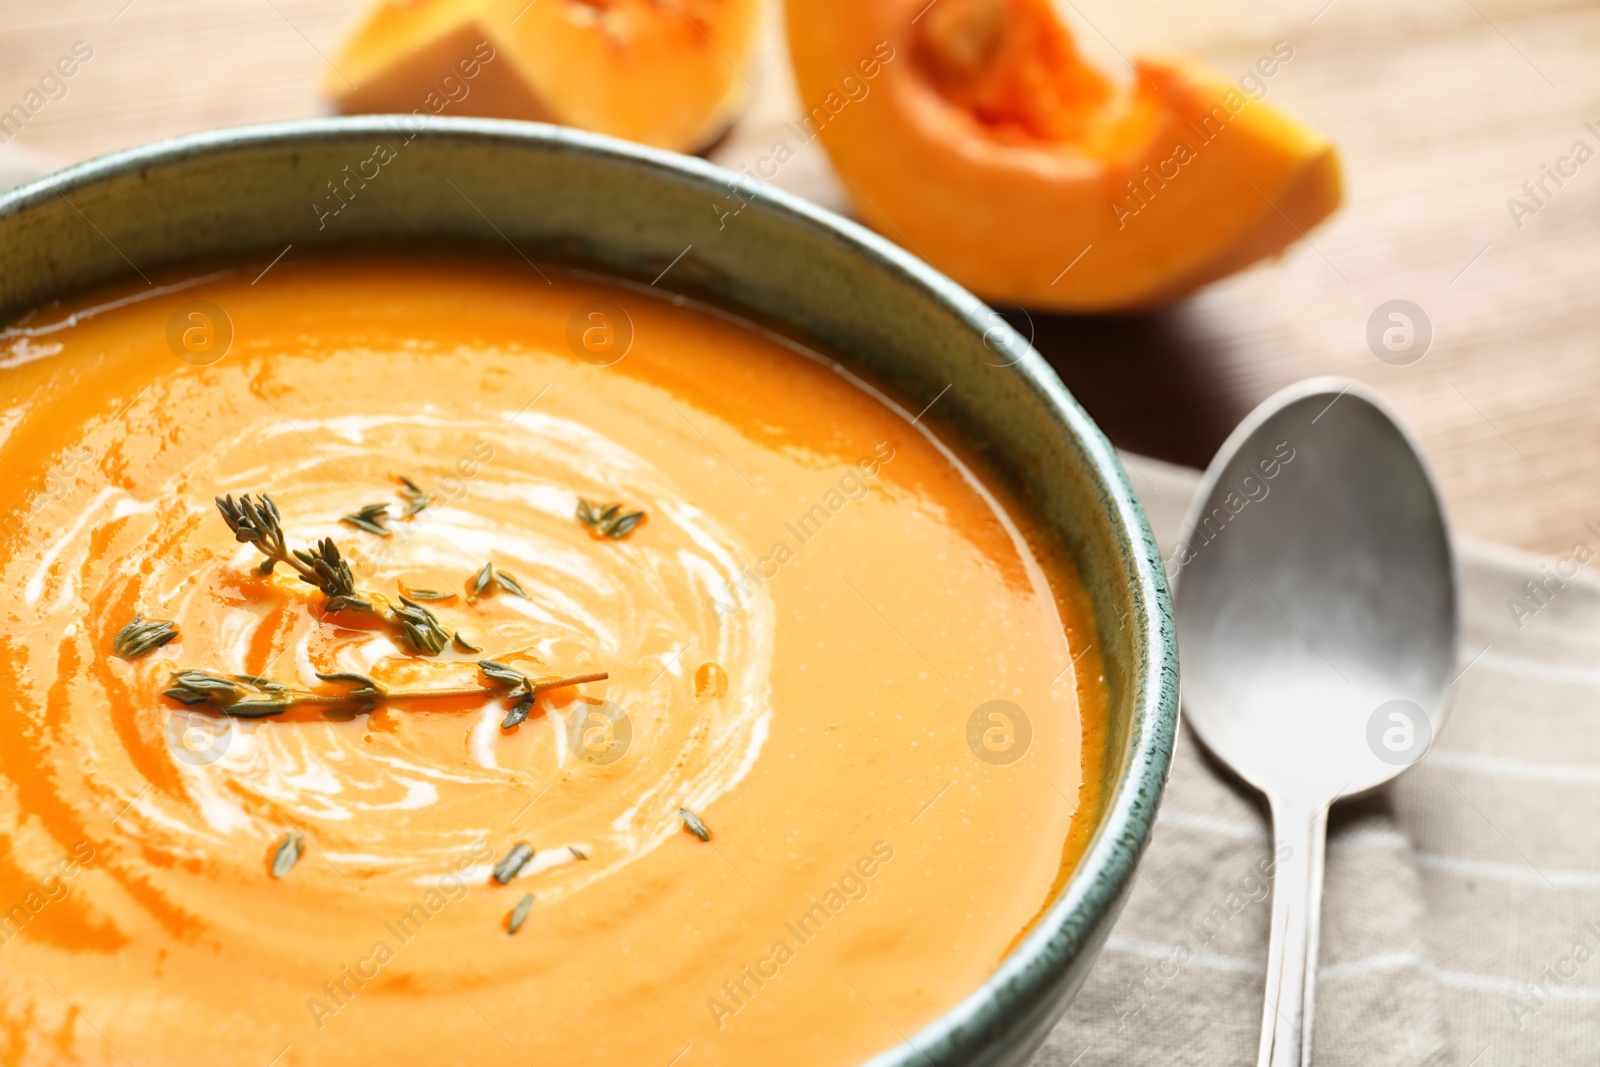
x: 975, y: 135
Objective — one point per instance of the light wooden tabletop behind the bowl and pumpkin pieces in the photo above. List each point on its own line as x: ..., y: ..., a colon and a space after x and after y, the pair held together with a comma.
x: 1442, y: 110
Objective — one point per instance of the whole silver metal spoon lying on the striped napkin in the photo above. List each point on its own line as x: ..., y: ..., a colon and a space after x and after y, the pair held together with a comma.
x: 1316, y: 599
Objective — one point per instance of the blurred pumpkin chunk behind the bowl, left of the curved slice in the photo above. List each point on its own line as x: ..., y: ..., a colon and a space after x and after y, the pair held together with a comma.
x: 663, y: 73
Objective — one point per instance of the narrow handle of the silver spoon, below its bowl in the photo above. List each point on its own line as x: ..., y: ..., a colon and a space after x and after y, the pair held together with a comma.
x: 1302, y: 834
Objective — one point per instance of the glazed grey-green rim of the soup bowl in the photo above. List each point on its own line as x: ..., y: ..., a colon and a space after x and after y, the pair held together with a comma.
x: 1079, y: 919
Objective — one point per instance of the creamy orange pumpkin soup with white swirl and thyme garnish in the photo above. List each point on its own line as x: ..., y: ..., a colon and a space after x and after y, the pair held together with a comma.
x: 425, y: 660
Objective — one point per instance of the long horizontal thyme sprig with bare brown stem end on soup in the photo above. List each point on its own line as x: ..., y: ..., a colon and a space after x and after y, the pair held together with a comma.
x: 250, y: 697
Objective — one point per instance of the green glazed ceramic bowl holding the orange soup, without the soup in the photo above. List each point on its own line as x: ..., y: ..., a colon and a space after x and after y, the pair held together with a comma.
x: 559, y: 196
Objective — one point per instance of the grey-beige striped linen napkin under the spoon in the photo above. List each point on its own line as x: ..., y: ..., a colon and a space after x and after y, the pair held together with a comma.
x: 1462, y: 919
